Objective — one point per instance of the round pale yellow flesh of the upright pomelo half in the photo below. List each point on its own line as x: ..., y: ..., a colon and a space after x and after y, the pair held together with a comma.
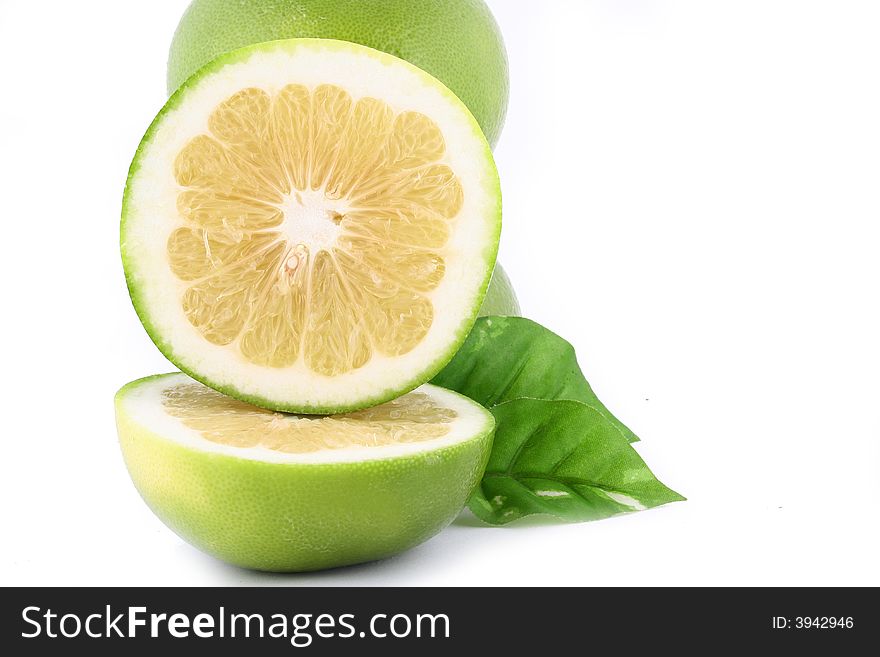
x: 316, y: 228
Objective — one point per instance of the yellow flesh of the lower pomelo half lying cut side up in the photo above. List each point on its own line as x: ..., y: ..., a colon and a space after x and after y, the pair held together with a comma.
x: 415, y: 417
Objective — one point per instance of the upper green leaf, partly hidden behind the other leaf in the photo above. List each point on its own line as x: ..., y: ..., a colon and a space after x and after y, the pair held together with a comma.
x: 506, y: 358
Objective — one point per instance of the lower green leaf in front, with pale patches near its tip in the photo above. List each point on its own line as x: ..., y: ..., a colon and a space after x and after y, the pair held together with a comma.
x: 566, y: 459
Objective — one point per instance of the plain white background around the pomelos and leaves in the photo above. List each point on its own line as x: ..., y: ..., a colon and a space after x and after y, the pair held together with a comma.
x: 691, y: 197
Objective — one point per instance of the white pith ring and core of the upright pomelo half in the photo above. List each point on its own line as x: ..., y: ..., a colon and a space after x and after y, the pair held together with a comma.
x: 153, y: 215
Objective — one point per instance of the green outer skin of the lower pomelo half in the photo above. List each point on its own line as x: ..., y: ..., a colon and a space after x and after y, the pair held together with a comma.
x: 283, y: 517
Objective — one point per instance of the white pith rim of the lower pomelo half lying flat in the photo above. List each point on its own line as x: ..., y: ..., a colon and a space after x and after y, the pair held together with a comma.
x: 142, y: 405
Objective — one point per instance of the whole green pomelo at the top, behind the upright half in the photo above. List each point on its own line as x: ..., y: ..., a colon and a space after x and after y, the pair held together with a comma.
x: 457, y: 41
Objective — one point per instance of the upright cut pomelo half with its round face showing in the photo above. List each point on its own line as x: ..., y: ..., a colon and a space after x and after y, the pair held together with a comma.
x: 311, y: 225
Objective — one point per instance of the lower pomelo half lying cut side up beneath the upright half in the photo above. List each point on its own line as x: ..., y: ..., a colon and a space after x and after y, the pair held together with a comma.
x: 277, y: 492
